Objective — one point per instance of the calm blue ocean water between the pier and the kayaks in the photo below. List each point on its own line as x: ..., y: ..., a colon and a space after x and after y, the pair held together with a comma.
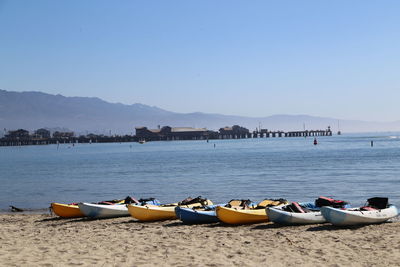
x: 344, y: 167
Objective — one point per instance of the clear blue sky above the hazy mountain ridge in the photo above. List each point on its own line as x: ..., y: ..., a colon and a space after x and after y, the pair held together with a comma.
x: 254, y: 58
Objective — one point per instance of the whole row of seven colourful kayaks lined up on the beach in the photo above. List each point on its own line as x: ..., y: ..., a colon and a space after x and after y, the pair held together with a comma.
x: 199, y: 210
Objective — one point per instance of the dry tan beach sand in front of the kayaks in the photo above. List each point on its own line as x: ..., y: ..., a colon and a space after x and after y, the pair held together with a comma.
x: 43, y: 240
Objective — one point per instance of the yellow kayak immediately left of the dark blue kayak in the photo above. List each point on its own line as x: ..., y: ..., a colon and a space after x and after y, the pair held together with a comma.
x: 148, y: 213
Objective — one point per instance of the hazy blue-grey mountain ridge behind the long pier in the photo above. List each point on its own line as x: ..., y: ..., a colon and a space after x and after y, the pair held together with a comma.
x: 33, y: 110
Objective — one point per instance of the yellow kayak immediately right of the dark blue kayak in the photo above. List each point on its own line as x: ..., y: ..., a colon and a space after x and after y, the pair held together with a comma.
x: 245, y: 214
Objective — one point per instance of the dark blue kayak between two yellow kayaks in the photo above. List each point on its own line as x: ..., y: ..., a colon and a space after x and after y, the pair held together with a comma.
x: 196, y: 216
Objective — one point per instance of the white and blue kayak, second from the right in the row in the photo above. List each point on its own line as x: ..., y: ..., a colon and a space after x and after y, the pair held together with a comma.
x: 280, y: 216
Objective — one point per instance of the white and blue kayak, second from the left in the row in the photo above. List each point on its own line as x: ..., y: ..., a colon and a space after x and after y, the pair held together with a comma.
x: 98, y: 211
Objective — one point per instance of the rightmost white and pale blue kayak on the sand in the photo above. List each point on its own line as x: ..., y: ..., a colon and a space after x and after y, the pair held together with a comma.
x: 357, y: 216
